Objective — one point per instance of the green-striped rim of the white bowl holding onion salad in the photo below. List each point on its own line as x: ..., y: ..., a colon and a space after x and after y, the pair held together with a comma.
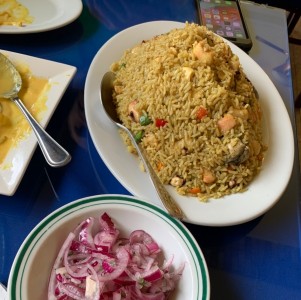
x: 27, y: 246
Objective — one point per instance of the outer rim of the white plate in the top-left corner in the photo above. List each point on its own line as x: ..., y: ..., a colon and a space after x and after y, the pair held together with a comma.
x: 73, y: 6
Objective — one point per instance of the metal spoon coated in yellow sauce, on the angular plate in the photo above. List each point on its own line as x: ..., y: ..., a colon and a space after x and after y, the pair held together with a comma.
x: 55, y: 155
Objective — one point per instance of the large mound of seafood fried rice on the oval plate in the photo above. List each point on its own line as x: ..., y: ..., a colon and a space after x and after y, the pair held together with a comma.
x: 185, y: 97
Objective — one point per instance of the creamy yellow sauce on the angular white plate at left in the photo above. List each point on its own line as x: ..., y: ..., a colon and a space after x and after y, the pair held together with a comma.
x: 13, y: 125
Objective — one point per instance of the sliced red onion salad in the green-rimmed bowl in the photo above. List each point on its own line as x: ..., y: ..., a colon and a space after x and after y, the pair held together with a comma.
x: 105, y: 265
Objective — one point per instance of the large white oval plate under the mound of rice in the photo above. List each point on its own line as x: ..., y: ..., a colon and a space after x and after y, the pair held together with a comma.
x: 262, y: 193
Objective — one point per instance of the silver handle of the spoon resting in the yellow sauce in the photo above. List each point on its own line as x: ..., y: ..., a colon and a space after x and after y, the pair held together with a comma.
x: 55, y: 155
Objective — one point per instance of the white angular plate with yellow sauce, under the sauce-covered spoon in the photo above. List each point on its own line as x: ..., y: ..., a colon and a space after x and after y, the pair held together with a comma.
x: 18, y: 158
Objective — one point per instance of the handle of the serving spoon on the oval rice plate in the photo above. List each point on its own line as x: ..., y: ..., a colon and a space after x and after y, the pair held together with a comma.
x: 169, y: 203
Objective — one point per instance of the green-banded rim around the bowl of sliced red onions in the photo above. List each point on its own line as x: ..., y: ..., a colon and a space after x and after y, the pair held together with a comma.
x: 17, y: 272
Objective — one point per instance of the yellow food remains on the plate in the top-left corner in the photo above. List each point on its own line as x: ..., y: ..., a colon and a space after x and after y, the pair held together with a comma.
x: 14, y: 13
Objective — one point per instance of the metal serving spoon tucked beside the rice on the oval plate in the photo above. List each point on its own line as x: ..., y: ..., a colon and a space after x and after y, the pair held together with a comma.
x: 109, y: 107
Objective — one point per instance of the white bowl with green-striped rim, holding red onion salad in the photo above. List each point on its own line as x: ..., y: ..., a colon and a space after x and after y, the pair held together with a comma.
x: 32, y: 265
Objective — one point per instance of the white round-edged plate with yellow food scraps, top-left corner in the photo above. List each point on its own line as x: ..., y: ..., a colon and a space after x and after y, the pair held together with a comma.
x: 47, y: 15
